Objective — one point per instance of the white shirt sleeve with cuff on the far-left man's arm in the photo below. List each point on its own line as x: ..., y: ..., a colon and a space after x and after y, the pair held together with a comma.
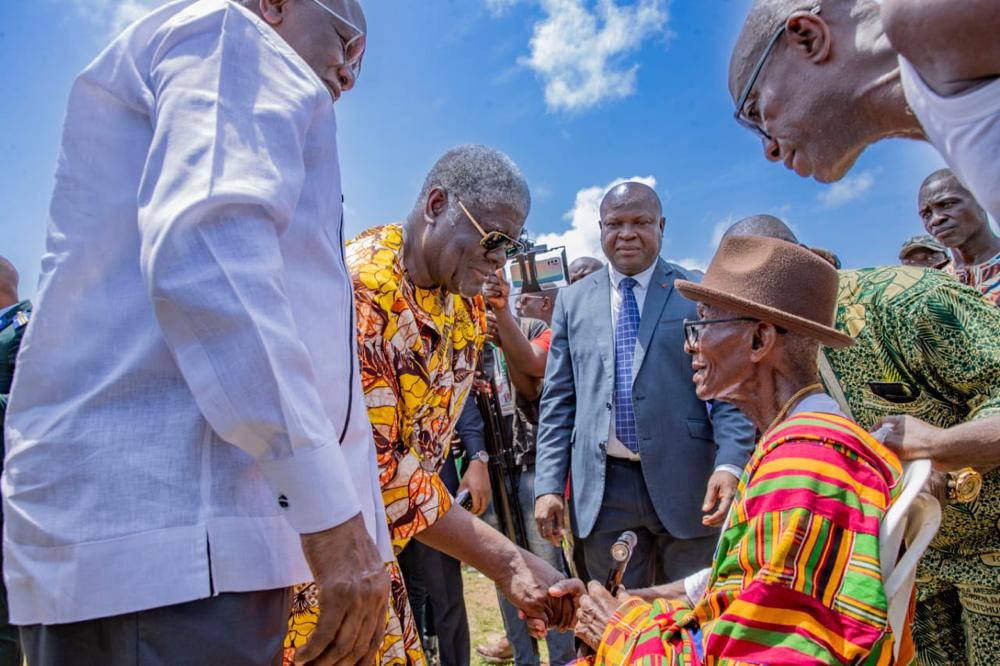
x: 221, y: 182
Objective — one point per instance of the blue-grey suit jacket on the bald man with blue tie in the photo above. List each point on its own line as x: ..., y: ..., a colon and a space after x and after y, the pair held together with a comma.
x: 679, y: 444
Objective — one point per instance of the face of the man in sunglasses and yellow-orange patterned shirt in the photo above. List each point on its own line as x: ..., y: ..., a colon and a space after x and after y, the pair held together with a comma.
x: 441, y: 246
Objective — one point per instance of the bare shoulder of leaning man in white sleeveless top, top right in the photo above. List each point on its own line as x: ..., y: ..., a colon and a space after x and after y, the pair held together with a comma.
x: 952, y: 43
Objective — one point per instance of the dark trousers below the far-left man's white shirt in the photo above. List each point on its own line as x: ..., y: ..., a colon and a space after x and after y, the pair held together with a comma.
x: 246, y: 628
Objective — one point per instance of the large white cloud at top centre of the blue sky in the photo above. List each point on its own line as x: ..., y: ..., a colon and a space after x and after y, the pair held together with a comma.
x: 578, y: 53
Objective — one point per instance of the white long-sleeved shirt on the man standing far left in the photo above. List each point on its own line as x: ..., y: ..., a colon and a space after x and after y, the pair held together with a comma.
x: 187, y: 398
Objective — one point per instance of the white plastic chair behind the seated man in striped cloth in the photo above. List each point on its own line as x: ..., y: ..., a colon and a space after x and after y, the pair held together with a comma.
x: 912, y: 519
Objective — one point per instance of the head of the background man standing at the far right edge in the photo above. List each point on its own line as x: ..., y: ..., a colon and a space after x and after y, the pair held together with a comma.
x: 951, y: 214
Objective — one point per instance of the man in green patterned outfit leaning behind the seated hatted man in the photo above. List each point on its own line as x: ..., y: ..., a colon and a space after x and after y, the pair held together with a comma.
x: 928, y: 347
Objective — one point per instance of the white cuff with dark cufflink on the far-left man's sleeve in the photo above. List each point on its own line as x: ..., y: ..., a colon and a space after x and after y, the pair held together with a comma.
x: 313, y: 488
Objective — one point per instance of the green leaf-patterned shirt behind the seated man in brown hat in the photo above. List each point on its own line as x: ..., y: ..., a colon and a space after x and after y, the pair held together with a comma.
x: 921, y: 327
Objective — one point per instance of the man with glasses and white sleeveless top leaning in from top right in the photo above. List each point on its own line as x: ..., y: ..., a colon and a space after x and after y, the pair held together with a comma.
x: 819, y: 82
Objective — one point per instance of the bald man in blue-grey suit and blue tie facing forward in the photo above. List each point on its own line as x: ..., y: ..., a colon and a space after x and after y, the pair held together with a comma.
x: 619, y: 411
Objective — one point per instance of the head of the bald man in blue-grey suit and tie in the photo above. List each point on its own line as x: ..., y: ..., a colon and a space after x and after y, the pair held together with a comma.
x: 631, y: 227
